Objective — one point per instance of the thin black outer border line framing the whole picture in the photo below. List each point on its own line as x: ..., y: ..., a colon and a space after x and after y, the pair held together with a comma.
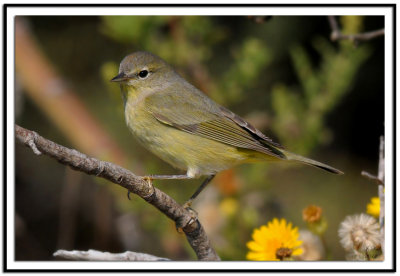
x: 5, y: 269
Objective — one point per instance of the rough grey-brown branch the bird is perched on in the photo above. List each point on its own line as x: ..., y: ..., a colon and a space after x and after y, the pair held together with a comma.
x: 135, y: 184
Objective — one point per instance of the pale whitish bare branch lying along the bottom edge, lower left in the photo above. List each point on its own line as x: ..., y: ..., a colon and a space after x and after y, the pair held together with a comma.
x: 94, y: 255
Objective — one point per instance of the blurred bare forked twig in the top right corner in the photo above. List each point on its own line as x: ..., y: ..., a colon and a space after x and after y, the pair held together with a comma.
x: 336, y: 34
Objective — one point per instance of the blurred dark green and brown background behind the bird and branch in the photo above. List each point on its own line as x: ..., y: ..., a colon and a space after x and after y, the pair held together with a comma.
x: 318, y: 98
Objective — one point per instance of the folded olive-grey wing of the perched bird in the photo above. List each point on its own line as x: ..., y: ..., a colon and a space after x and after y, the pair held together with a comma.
x: 200, y: 116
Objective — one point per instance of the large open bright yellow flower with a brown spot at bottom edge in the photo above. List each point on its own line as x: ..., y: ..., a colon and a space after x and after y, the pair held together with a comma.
x: 273, y: 242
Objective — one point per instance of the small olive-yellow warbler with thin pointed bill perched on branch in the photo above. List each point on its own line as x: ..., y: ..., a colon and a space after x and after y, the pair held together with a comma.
x: 185, y: 128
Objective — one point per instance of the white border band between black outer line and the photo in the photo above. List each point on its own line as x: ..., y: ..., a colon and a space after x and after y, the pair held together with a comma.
x: 15, y: 11
